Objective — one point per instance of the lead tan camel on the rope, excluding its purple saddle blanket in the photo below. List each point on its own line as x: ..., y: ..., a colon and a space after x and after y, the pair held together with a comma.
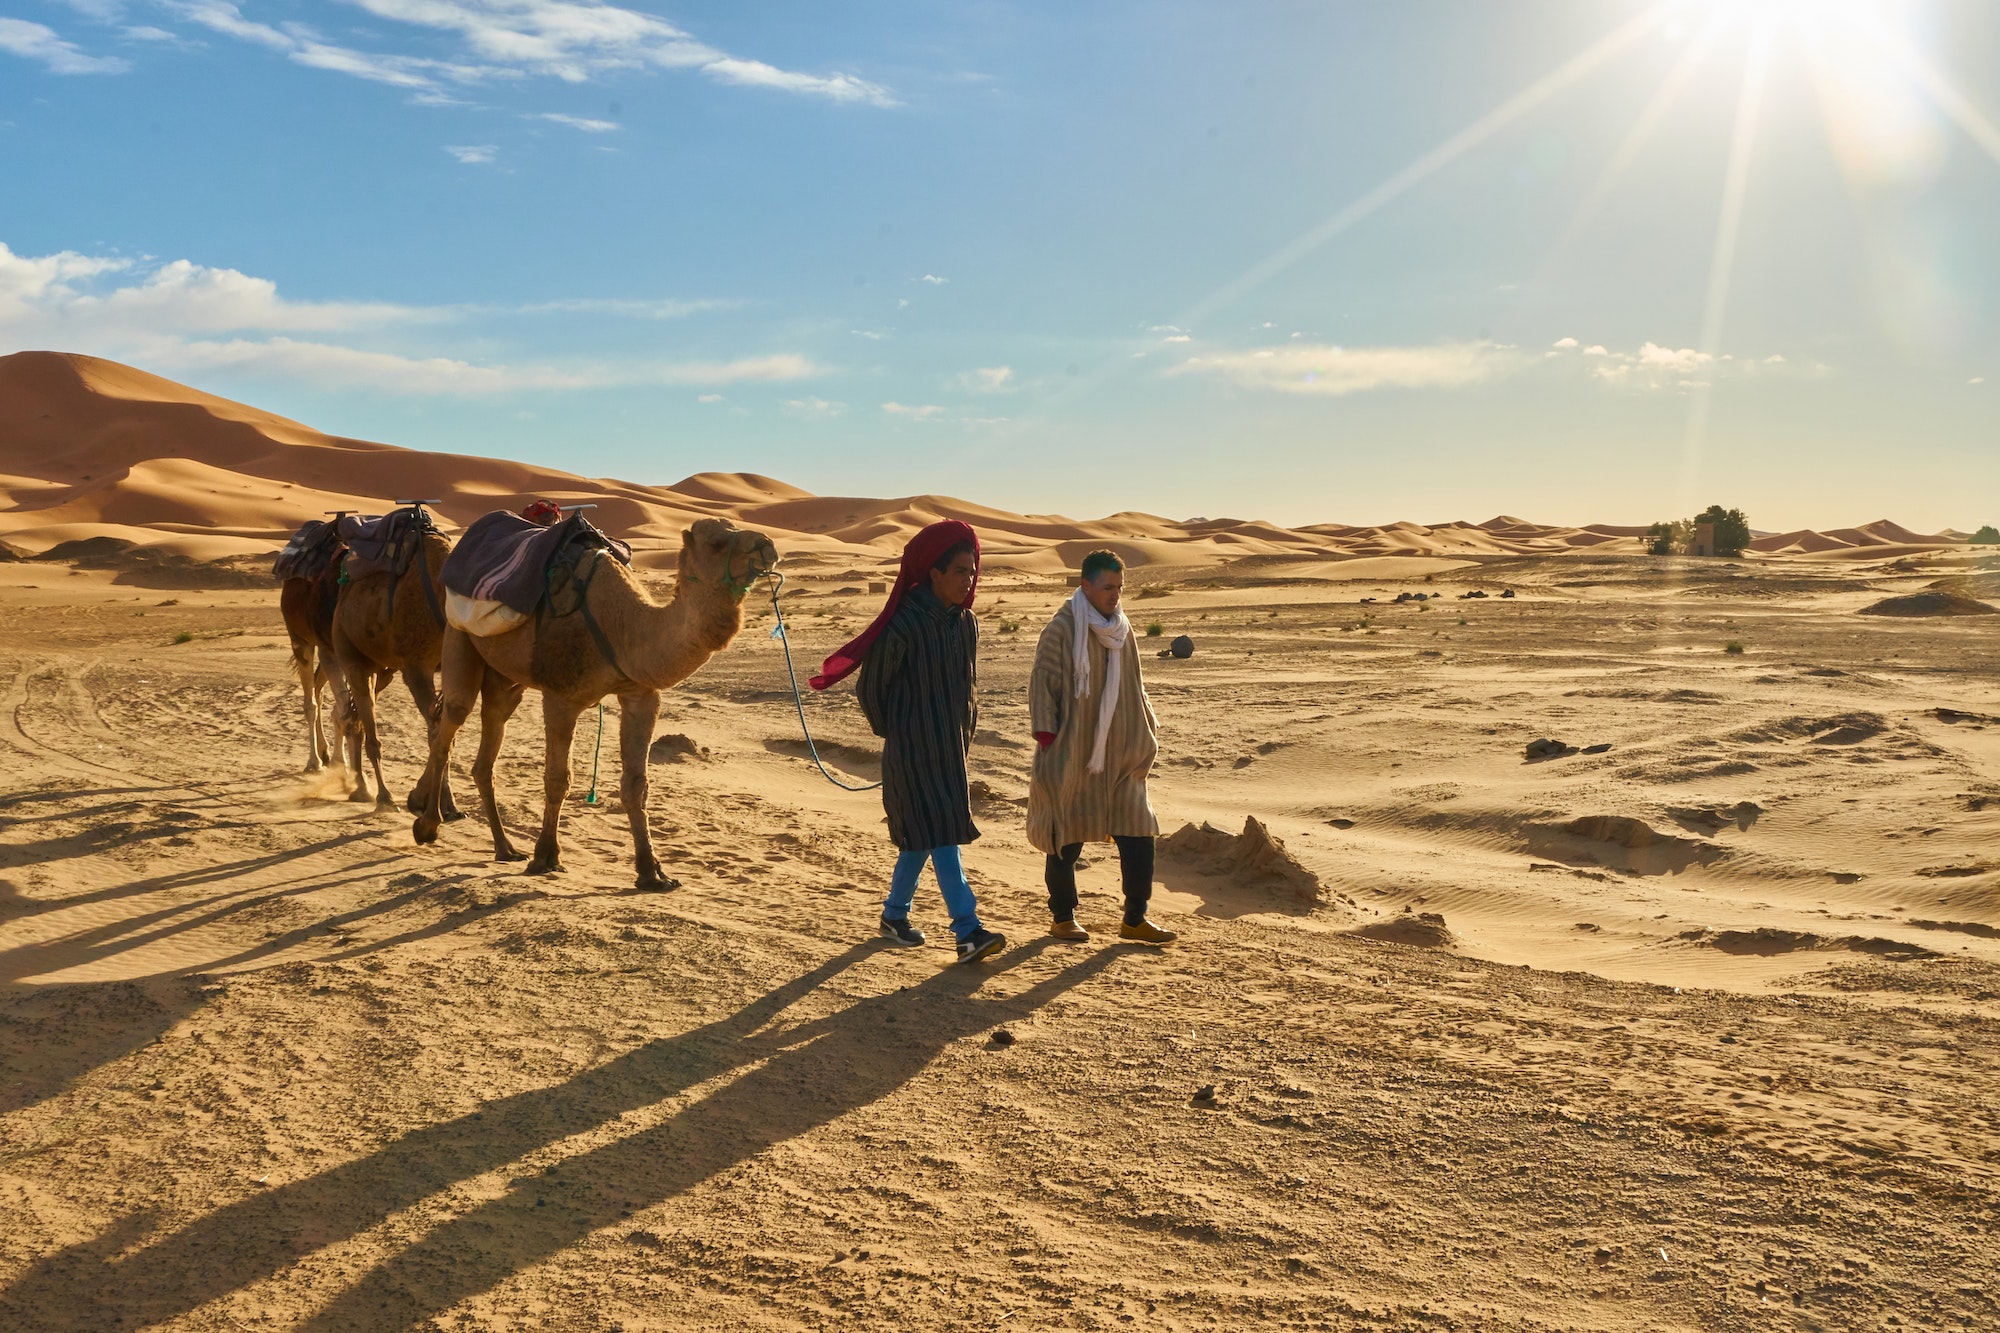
x: 653, y: 647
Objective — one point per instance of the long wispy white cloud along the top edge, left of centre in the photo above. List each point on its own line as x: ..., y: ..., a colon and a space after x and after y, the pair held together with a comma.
x: 573, y: 41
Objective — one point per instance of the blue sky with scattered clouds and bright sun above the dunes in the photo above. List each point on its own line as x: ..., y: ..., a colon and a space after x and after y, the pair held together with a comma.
x: 1347, y: 261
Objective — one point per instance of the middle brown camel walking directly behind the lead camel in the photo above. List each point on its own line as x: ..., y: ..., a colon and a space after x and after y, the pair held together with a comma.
x: 375, y: 637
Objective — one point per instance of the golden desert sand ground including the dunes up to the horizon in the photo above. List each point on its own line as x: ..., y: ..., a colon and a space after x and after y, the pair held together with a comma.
x: 1695, y: 1032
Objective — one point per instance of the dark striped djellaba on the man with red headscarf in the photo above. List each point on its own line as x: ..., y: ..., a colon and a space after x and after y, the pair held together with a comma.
x: 917, y: 692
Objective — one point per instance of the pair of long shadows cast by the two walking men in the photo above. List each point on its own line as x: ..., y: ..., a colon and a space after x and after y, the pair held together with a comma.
x: 799, y: 1078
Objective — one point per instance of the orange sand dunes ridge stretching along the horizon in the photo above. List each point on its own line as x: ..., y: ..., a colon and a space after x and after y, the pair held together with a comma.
x: 97, y: 449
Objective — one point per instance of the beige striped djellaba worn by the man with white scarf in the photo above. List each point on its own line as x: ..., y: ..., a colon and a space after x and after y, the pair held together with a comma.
x: 1067, y: 804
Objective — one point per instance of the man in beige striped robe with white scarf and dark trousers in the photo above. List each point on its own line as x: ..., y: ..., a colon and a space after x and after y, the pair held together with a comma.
x: 1095, y: 746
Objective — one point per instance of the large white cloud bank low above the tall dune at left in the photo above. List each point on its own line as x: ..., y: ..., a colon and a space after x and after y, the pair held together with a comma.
x: 185, y: 317
